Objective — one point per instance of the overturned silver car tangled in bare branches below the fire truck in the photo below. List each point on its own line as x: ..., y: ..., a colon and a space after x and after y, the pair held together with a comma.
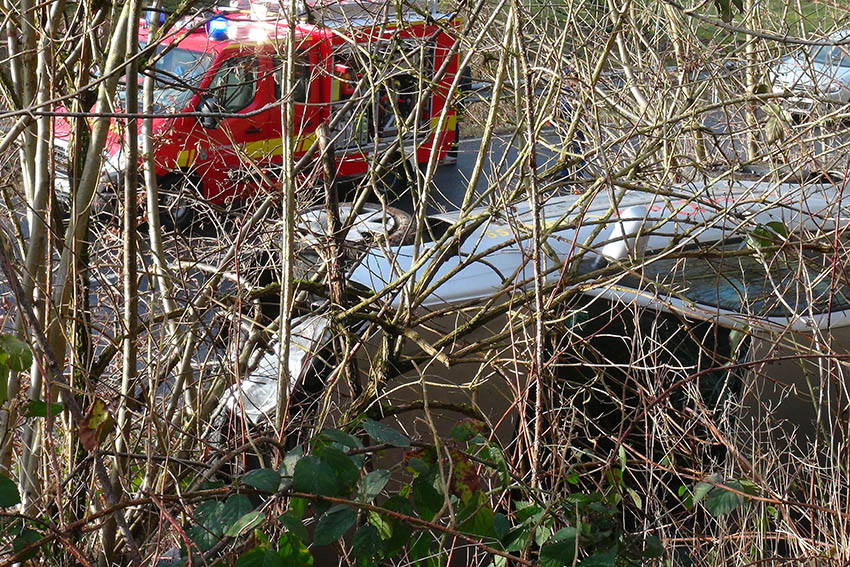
x: 619, y: 314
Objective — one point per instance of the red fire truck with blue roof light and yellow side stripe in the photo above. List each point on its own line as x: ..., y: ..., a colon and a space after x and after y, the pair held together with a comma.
x: 379, y: 79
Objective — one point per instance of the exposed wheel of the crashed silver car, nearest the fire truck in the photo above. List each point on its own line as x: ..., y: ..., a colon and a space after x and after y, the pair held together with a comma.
x: 373, y: 223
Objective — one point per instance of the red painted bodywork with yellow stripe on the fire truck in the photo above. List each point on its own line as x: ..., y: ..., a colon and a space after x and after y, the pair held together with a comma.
x: 226, y: 158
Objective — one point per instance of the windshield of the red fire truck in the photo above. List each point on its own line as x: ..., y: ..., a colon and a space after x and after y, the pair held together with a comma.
x: 178, y: 72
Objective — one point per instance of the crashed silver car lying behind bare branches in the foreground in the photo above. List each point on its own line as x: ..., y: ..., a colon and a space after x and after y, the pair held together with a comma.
x: 660, y: 284
